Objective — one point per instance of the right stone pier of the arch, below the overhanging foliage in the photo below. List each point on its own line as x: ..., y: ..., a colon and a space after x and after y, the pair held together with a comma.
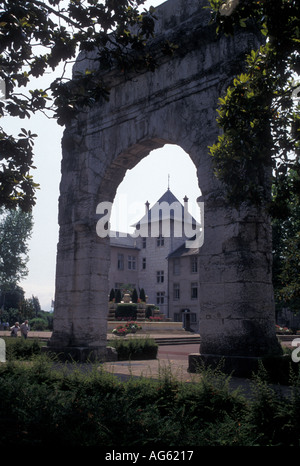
x: 237, y: 318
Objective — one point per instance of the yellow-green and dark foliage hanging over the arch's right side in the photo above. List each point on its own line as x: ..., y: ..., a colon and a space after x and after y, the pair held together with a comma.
x: 260, y: 114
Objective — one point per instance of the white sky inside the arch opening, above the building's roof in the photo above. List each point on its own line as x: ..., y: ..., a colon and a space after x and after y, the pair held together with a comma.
x: 168, y: 167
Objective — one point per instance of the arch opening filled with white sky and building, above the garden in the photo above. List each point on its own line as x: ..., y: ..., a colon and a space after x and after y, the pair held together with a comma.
x: 164, y: 182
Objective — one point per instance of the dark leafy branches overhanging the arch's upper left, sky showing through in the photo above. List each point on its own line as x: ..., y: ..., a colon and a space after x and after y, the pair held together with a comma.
x: 38, y: 36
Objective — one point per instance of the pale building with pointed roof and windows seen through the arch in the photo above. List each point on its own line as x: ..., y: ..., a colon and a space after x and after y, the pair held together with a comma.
x: 156, y: 259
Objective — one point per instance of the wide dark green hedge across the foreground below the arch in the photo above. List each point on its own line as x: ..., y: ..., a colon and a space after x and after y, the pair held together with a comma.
x: 48, y: 404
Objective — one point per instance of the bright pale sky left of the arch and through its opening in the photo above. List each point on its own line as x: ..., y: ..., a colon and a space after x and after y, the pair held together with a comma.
x: 176, y: 170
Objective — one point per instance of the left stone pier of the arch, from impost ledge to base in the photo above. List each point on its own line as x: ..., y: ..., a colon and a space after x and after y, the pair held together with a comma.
x: 80, y: 324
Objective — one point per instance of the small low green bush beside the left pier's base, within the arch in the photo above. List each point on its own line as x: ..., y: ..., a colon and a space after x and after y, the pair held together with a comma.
x: 135, y: 348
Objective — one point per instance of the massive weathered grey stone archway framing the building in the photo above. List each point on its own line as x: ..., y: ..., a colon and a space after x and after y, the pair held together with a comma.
x: 175, y: 104
